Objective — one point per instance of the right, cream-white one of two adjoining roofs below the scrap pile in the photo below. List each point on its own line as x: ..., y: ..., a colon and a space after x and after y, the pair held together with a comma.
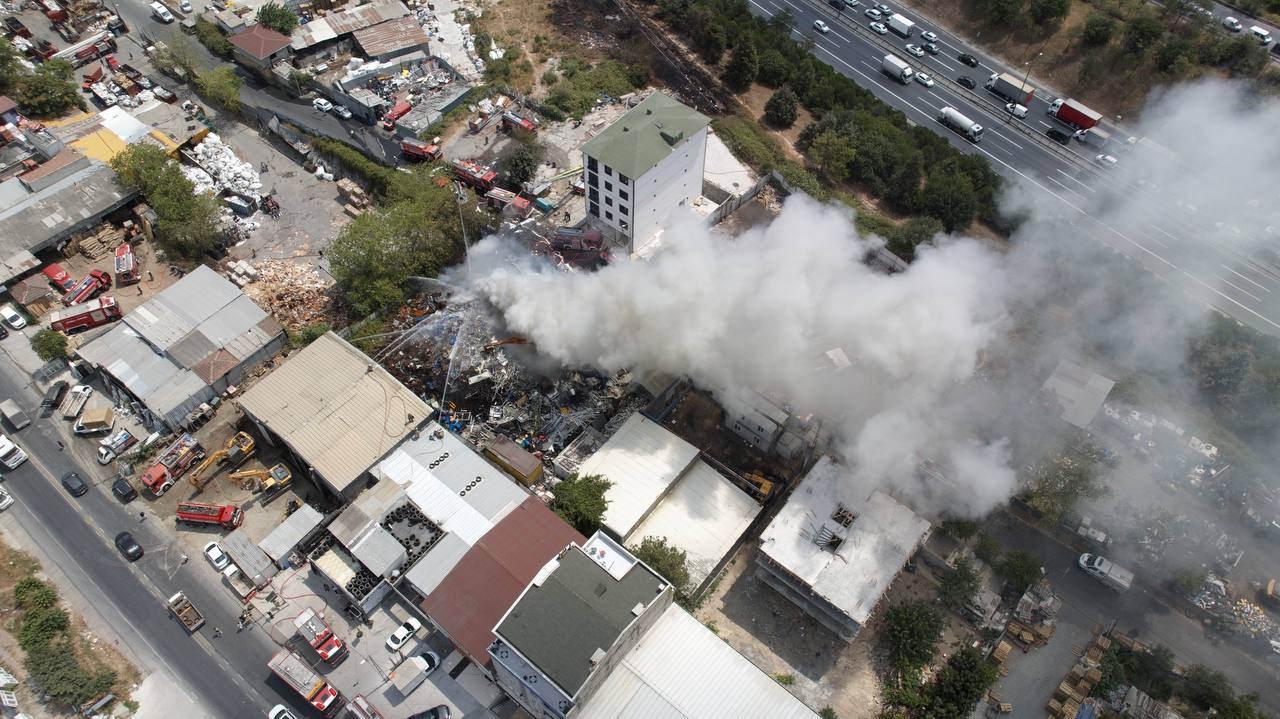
x: 705, y: 515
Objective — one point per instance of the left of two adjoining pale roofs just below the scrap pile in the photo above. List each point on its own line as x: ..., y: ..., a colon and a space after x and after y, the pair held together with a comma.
x: 642, y: 460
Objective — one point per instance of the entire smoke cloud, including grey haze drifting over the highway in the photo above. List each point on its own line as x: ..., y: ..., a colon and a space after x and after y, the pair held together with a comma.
x: 761, y: 312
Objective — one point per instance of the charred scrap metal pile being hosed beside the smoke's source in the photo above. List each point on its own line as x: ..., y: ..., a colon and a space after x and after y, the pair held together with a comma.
x: 452, y: 355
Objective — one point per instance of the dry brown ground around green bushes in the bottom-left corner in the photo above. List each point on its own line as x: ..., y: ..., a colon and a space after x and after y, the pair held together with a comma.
x: 93, y: 652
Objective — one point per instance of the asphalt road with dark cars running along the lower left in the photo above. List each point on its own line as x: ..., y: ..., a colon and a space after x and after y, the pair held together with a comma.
x: 228, y: 674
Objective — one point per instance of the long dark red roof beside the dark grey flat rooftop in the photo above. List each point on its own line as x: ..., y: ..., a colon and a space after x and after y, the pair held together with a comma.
x: 491, y: 576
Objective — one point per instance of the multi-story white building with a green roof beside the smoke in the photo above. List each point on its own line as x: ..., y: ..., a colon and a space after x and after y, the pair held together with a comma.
x: 644, y: 167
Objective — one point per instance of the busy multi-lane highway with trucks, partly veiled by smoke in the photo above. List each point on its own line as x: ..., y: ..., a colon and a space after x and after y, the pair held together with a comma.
x: 1210, y: 271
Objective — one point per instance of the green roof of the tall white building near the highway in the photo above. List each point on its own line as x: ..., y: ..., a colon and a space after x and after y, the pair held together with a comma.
x: 642, y: 139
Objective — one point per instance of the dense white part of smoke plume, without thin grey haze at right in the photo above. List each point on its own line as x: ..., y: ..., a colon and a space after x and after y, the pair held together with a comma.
x: 761, y: 312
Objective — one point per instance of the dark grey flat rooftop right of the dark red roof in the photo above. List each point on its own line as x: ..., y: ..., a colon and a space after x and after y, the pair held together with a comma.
x: 579, y: 608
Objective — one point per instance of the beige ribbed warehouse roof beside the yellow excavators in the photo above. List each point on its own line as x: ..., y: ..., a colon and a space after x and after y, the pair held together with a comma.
x: 339, y: 410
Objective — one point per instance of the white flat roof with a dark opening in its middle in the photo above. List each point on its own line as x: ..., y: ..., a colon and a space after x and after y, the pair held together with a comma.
x: 874, y: 538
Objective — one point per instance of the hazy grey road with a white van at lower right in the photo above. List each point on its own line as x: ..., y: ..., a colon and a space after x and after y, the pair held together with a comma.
x: 1140, y: 615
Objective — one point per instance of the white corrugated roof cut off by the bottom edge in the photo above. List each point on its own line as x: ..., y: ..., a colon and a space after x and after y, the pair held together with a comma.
x: 680, y: 670
